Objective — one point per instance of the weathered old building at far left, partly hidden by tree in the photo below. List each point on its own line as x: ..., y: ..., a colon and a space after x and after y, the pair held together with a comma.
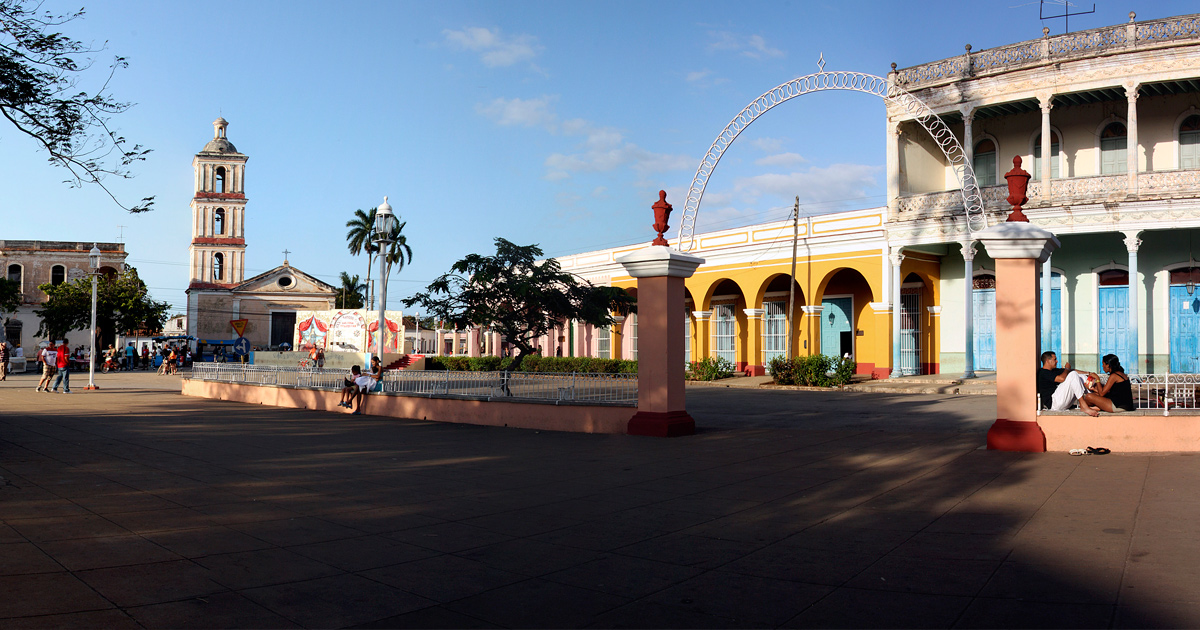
x: 32, y: 265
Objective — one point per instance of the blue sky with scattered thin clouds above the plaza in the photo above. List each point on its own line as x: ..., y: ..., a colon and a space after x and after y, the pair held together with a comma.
x: 542, y: 123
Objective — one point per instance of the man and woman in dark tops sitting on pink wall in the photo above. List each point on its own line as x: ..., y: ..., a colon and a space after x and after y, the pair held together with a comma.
x: 1063, y: 388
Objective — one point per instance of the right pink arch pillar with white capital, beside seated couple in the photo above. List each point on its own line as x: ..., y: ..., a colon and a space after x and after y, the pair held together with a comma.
x: 1017, y: 248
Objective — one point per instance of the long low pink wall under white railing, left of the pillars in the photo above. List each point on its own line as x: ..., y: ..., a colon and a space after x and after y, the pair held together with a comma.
x: 577, y: 418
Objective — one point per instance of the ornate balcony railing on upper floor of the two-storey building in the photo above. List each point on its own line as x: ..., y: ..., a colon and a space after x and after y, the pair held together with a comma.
x: 1070, y: 191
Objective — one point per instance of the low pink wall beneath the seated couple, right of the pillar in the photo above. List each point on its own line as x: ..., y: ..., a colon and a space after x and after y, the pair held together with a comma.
x: 1123, y: 433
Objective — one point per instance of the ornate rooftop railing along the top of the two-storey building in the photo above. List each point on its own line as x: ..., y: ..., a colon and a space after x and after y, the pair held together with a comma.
x: 1131, y: 37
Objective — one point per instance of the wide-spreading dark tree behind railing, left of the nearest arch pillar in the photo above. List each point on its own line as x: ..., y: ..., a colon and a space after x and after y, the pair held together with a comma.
x: 518, y: 296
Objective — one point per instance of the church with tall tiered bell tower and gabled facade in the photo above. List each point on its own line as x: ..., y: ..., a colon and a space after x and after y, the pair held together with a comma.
x: 219, y: 292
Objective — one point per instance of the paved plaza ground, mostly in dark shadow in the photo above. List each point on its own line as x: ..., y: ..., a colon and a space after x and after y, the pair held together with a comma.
x: 135, y: 507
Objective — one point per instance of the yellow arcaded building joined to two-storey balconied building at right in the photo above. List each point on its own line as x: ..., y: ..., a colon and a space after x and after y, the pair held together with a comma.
x: 1108, y: 123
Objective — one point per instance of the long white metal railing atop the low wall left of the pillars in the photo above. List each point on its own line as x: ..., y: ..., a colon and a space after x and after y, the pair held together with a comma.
x: 566, y: 387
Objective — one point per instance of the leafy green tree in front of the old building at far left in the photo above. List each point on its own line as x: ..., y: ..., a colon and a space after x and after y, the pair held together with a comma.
x: 123, y: 304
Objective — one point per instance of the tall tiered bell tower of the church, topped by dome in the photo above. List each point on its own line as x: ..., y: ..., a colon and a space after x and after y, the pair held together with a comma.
x: 219, y: 213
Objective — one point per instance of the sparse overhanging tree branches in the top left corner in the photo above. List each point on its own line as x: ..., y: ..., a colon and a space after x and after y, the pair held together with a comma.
x: 40, y: 73
